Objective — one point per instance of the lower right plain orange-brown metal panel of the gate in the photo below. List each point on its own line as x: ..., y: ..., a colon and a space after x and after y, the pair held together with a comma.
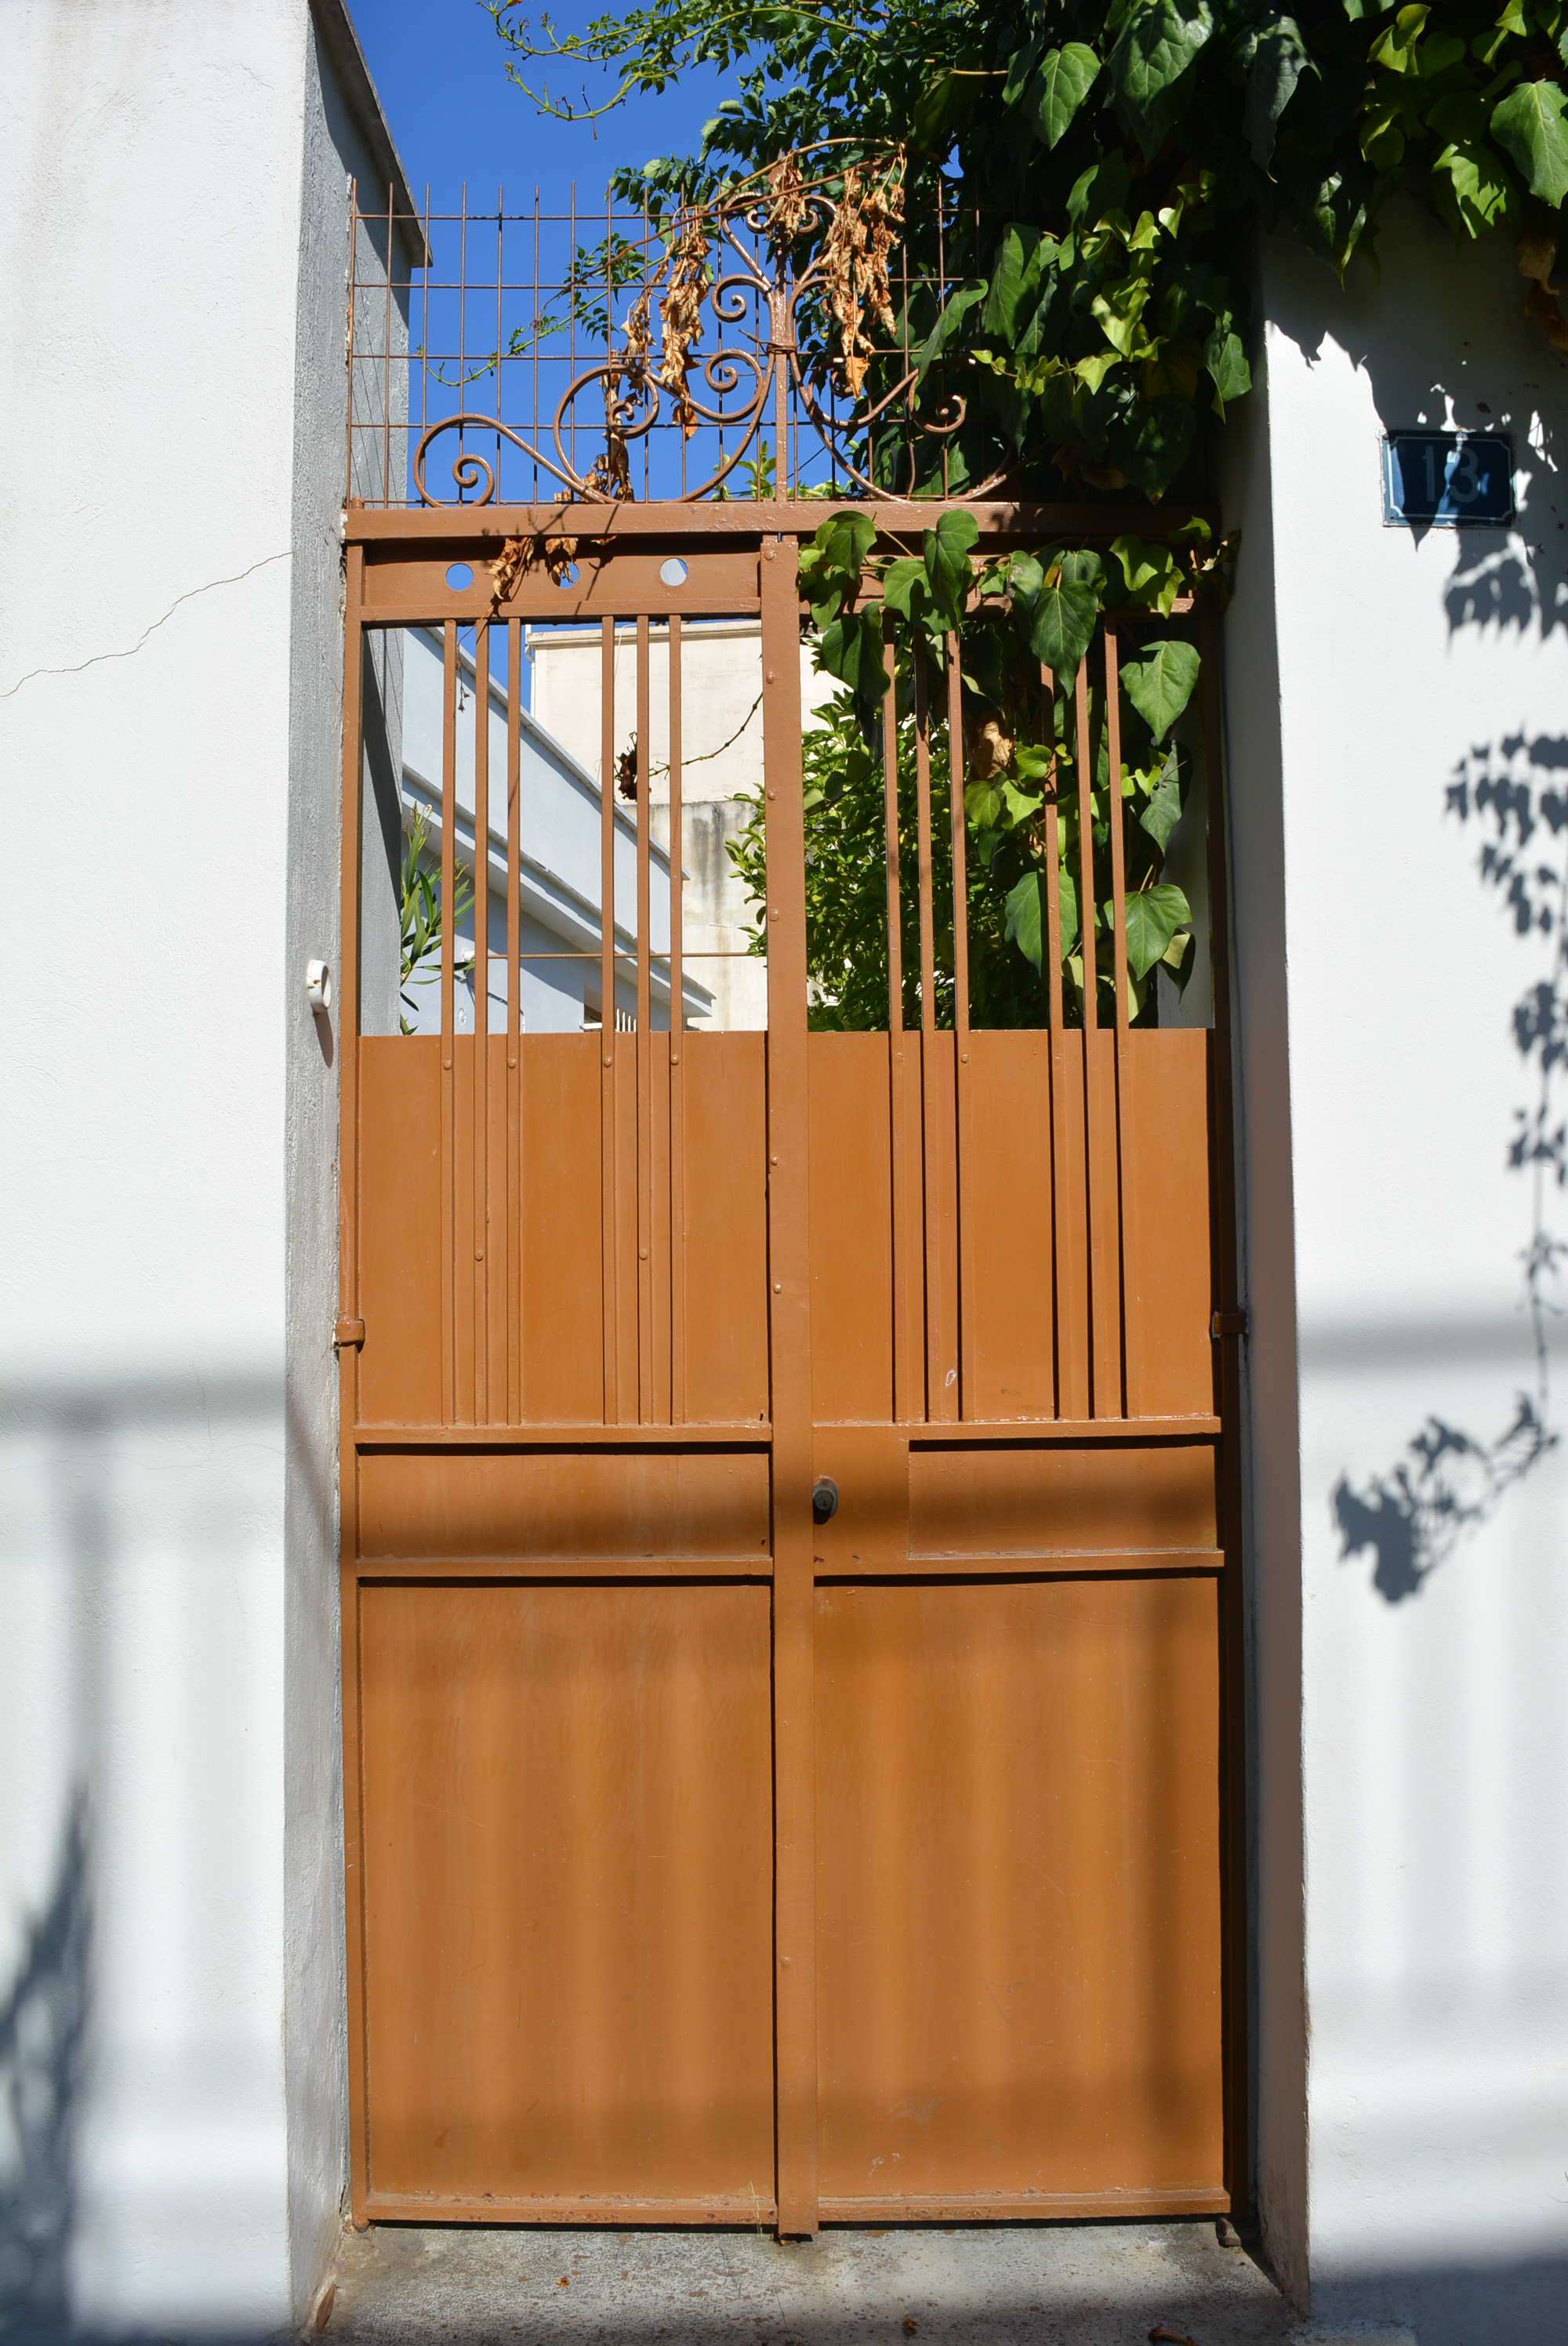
x: 1018, y: 1958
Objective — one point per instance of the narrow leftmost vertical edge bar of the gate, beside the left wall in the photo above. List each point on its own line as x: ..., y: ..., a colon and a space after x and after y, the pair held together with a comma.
x: 349, y: 1364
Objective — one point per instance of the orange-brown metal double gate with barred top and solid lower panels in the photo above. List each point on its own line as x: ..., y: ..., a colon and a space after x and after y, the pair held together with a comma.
x: 715, y: 1857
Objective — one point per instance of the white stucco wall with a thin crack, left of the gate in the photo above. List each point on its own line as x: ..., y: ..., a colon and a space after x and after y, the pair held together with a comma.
x: 170, y: 700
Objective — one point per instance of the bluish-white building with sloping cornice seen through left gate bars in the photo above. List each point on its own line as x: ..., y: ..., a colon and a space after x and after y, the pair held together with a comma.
x: 560, y: 867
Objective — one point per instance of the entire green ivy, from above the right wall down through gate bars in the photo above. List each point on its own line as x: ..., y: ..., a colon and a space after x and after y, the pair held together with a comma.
x: 1081, y: 189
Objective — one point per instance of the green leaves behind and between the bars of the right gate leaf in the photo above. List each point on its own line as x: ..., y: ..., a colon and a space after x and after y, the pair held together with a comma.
x: 1022, y: 804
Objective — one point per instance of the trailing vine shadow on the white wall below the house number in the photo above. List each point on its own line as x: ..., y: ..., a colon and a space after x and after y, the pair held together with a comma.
x: 1449, y: 1481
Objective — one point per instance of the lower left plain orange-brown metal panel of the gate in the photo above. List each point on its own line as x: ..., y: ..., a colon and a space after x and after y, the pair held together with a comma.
x: 569, y: 1897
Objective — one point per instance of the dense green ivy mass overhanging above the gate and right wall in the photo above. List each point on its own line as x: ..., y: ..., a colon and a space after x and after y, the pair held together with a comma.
x: 1104, y: 170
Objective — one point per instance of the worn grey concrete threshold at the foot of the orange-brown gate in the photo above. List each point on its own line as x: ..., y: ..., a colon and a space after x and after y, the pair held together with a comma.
x: 966, y: 2286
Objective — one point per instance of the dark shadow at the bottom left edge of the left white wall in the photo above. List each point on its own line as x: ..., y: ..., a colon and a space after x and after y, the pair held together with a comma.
x: 43, y: 2026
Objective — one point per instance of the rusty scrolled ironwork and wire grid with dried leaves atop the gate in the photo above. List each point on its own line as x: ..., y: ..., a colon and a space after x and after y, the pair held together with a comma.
x: 656, y: 358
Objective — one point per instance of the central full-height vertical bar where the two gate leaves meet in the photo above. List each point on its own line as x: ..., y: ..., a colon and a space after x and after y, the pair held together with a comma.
x: 790, y: 1329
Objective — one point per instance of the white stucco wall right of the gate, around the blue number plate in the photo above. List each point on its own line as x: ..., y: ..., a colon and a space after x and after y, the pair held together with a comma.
x: 1410, y: 1613
